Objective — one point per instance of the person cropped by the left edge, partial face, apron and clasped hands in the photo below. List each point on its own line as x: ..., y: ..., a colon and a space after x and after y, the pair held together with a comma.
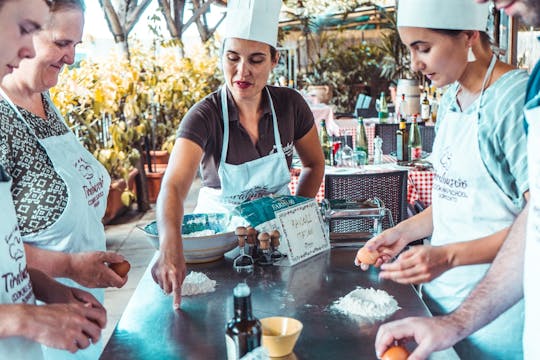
x: 23, y: 323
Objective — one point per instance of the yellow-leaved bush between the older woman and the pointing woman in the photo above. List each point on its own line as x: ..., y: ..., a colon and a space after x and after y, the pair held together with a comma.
x: 111, y: 105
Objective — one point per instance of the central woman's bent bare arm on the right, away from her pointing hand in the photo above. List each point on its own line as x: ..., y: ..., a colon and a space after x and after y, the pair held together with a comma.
x: 310, y: 152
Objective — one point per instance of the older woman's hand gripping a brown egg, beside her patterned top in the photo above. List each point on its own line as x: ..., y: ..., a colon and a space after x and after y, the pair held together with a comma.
x: 90, y: 269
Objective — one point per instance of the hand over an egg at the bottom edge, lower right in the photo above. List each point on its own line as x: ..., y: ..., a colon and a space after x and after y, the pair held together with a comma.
x: 431, y: 334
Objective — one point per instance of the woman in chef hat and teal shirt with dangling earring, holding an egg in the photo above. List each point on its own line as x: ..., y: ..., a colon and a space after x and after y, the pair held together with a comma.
x: 480, y: 162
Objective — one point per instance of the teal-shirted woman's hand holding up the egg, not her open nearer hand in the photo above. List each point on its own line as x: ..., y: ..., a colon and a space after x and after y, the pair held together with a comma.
x: 387, y: 244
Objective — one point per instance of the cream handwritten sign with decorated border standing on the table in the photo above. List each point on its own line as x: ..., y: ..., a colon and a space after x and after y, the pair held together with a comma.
x: 302, y: 229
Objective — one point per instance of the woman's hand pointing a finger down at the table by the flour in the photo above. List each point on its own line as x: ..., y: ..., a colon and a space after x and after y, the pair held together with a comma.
x: 169, y: 272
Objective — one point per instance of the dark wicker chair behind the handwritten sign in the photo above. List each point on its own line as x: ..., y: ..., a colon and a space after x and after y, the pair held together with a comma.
x: 390, y: 187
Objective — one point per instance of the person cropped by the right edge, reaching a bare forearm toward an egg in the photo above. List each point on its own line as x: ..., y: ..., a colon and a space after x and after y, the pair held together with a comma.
x: 513, y: 274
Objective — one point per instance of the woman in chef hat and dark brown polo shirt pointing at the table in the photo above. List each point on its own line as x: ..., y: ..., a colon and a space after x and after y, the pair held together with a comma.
x: 242, y: 136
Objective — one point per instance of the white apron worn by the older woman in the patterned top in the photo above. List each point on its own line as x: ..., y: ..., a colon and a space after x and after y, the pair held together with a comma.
x: 79, y: 228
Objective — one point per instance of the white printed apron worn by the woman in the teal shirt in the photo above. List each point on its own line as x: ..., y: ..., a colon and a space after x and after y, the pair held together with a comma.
x: 468, y: 204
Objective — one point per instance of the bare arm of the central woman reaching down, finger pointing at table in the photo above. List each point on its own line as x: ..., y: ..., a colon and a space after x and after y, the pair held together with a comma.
x: 185, y: 158
